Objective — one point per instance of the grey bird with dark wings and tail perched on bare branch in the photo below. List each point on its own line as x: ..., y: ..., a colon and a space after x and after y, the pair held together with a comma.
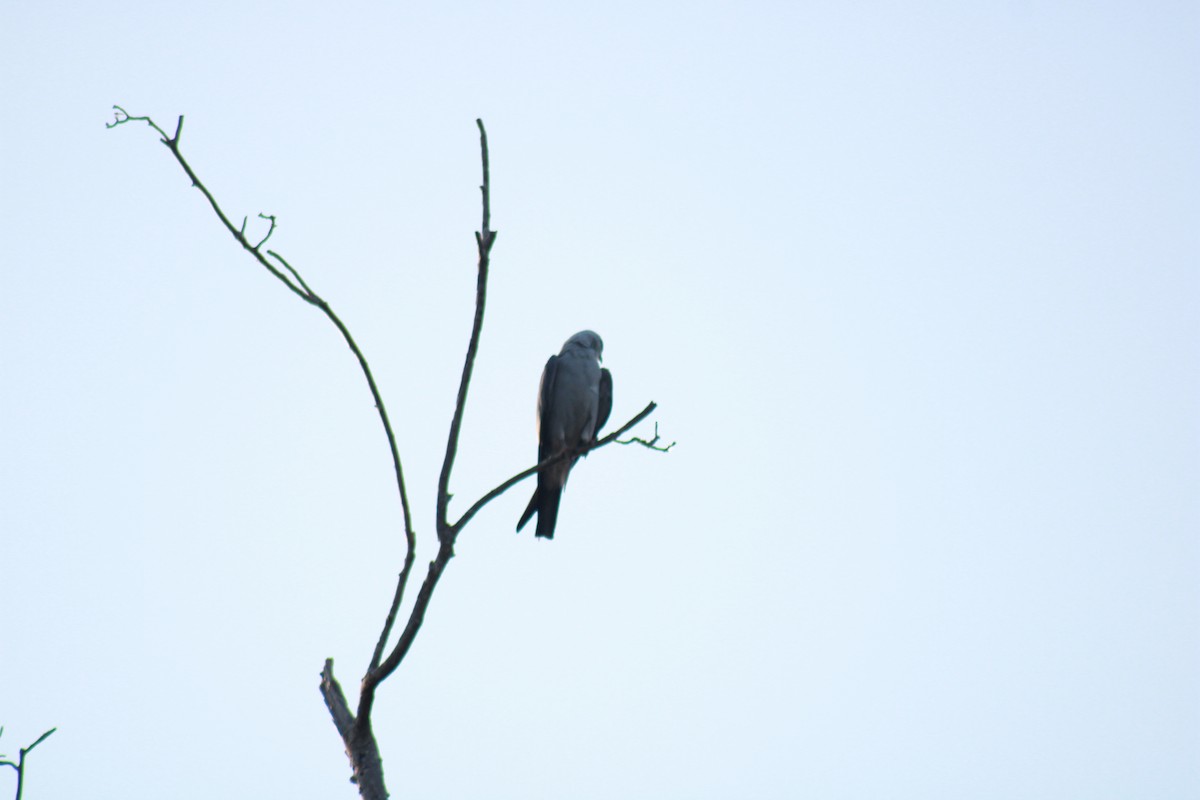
x: 574, y: 402
